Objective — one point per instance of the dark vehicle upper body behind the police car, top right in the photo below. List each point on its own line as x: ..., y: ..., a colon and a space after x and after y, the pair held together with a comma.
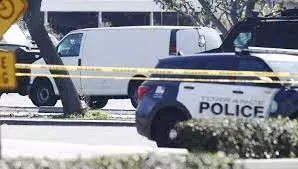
x: 272, y: 31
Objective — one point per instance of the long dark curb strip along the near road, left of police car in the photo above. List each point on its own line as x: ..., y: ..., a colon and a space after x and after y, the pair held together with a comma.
x: 50, y: 122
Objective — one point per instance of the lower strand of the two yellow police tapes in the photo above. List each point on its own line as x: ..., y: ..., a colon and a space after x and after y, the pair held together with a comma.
x: 153, y: 78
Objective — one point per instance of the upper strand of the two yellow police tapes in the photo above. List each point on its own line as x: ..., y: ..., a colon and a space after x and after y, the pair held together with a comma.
x: 158, y: 71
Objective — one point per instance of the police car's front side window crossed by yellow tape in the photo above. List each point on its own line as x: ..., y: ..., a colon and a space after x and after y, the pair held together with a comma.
x: 253, y: 64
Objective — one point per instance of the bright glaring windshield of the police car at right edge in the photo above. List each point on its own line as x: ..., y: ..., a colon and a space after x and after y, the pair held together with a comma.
x: 282, y: 63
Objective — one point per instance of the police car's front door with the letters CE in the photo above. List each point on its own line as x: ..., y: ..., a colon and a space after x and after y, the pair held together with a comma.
x: 254, y: 99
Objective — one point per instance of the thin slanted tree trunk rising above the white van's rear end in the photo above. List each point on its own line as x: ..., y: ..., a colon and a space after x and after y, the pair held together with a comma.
x: 213, y: 18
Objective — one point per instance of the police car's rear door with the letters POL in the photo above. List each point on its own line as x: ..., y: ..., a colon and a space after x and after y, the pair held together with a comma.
x: 210, y: 99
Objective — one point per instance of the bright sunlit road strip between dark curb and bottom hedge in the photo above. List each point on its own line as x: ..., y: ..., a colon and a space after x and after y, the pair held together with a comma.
x: 90, y: 135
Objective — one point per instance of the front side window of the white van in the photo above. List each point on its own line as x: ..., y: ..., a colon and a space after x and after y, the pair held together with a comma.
x: 70, y: 46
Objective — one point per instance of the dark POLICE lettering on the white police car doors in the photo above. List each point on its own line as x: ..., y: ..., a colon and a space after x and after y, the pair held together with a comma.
x: 226, y: 106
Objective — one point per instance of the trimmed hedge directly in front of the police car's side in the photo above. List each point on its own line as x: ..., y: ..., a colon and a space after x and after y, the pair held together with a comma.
x: 248, y: 138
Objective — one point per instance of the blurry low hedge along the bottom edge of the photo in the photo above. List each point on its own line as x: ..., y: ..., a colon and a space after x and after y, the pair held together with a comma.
x: 150, y: 161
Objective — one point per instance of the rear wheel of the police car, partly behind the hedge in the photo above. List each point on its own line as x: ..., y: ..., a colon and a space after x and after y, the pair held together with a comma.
x: 164, y: 126
